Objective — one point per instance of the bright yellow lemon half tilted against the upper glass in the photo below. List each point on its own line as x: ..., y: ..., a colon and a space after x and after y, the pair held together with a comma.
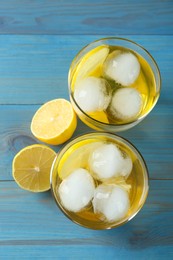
x: 54, y: 122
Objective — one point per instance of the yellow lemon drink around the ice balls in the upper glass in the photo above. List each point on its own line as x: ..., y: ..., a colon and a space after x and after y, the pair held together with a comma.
x: 92, y: 64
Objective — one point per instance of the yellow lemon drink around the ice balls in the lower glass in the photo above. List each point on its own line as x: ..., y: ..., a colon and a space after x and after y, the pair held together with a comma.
x: 77, y: 156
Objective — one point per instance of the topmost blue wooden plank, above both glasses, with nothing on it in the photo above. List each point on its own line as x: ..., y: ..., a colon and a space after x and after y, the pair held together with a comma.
x: 86, y: 17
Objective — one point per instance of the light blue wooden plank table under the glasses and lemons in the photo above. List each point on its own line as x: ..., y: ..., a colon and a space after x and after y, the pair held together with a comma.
x: 38, y: 40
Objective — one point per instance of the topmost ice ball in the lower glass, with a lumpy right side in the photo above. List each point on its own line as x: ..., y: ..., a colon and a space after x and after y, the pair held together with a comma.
x: 107, y: 161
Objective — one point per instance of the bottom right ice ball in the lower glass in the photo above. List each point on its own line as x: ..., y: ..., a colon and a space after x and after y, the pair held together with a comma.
x: 112, y: 201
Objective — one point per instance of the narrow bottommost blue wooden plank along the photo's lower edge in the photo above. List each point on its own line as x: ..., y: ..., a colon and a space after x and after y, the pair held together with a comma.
x: 71, y: 252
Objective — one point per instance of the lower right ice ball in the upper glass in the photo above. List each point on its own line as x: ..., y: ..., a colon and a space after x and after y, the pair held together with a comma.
x: 126, y: 103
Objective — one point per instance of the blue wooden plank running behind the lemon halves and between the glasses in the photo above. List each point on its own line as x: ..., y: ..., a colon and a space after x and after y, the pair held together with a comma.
x: 153, y: 137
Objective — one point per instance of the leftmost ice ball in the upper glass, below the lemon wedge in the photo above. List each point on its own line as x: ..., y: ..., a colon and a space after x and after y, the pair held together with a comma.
x: 92, y: 94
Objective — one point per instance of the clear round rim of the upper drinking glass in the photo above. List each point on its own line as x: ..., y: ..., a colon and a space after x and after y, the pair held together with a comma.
x: 125, y: 40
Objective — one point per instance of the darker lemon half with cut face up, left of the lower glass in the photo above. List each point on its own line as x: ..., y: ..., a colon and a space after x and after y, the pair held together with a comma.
x: 31, y: 167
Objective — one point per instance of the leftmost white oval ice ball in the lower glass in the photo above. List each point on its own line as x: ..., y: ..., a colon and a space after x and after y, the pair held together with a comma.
x: 77, y: 190
